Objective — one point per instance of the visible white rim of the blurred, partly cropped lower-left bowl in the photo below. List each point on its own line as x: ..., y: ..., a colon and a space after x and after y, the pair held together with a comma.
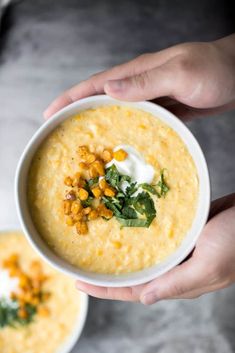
x: 72, y: 339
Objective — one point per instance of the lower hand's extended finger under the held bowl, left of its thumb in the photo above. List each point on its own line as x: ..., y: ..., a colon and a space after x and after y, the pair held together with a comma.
x: 125, y: 294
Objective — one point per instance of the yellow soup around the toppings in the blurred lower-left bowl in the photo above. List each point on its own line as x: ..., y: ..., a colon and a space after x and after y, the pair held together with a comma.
x: 44, y: 334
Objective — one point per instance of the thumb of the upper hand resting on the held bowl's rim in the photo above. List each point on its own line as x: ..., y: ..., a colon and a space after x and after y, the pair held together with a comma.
x: 158, y: 82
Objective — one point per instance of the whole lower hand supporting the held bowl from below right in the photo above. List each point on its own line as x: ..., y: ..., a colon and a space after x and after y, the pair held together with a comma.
x: 210, y: 267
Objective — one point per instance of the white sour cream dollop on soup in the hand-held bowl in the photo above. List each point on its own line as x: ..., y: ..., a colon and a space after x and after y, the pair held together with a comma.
x: 134, y: 165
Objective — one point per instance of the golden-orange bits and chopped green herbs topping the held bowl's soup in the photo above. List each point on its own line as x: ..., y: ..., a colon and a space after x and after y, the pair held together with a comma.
x: 105, y: 192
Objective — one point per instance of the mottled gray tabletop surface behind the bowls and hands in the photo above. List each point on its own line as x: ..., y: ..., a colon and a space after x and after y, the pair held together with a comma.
x: 47, y: 46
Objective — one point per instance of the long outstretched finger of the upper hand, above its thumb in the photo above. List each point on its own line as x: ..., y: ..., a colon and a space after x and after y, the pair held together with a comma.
x: 95, y: 84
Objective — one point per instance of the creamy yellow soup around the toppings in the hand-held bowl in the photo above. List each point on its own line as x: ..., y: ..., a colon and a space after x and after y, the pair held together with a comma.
x: 107, y: 127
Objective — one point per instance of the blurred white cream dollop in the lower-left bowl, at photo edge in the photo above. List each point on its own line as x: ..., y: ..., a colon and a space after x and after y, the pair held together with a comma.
x: 8, y: 285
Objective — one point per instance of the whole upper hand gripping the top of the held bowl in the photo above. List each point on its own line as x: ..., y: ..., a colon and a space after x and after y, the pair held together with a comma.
x: 189, y: 79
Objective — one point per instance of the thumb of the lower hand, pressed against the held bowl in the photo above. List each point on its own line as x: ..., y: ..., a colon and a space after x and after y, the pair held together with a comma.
x: 183, y: 279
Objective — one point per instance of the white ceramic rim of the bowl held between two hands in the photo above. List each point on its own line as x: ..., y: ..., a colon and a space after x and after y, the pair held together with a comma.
x: 124, y: 279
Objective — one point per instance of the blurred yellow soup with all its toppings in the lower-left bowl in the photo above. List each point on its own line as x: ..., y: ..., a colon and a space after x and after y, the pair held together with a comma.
x: 39, y: 307
